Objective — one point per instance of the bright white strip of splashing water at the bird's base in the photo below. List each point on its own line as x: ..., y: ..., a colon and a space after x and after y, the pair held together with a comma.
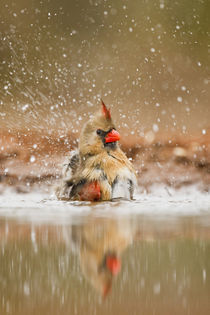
x: 160, y: 201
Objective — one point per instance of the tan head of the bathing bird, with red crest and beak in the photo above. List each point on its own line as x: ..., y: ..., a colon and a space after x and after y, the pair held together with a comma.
x: 99, y: 133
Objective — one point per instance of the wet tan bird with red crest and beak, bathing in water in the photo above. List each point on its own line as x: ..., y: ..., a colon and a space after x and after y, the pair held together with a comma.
x: 99, y: 170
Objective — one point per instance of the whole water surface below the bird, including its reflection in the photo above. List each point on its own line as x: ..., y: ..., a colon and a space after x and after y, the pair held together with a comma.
x: 54, y: 256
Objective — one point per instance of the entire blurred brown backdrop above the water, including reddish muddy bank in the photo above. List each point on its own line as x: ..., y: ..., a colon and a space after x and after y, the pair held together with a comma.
x: 148, y: 60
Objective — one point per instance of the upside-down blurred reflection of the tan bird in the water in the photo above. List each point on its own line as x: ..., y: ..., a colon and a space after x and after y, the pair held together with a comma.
x: 99, y: 245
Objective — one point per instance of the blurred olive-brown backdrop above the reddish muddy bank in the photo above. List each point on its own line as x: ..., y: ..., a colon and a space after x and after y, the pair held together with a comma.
x: 148, y: 60
